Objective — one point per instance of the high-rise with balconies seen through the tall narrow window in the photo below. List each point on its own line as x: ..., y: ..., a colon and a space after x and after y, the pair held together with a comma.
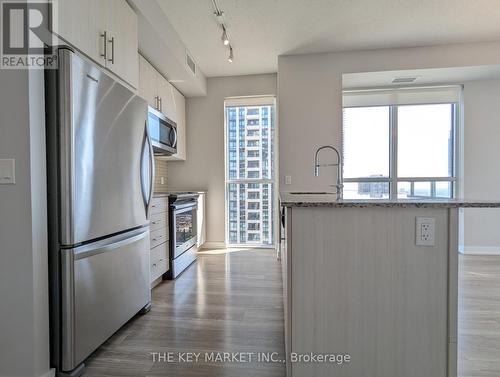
x: 250, y: 164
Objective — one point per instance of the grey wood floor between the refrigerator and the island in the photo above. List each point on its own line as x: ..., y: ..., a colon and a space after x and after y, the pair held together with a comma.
x: 225, y: 302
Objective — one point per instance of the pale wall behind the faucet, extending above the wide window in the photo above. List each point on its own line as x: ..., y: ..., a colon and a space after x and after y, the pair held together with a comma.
x: 310, y: 97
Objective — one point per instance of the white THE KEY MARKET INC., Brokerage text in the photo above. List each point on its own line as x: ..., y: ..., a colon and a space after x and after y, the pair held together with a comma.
x: 249, y: 357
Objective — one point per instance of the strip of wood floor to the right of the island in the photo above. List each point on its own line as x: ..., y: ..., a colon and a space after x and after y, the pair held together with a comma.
x: 479, y: 316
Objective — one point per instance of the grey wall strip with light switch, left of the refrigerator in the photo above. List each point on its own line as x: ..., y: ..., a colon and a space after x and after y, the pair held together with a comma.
x: 24, y: 324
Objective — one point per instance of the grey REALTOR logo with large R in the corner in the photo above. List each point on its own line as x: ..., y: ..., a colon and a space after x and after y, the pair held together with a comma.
x: 27, y: 40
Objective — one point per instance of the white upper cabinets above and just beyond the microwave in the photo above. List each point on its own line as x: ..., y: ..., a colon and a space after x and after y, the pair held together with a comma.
x: 164, y: 97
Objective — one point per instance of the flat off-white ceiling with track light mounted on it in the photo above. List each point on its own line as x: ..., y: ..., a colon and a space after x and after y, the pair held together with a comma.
x: 260, y: 30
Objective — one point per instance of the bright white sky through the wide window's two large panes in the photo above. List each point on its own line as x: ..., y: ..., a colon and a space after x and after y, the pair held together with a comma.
x: 423, y: 138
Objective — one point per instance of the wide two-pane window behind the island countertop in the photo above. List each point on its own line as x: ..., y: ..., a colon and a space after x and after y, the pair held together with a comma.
x: 401, y: 151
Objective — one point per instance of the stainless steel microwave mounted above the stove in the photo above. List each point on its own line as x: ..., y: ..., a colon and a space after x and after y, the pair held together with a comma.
x: 163, y: 133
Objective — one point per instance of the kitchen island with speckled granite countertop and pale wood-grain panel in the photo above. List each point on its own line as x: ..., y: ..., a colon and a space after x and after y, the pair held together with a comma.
x: 357, y: 284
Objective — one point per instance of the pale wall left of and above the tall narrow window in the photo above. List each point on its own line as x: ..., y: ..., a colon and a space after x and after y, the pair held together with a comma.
x: 204, y: 166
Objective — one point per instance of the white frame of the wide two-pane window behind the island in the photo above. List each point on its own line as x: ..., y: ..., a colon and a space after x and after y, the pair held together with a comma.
x: 393, y: 179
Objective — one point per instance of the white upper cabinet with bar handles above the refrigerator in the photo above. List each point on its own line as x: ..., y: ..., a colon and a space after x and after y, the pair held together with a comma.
x: 104, y: 30
